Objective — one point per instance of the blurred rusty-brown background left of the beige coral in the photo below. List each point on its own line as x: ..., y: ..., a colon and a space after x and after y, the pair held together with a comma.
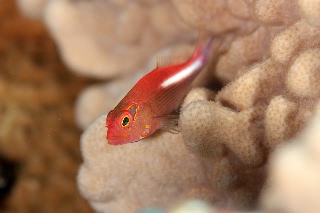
x: 37, y: 128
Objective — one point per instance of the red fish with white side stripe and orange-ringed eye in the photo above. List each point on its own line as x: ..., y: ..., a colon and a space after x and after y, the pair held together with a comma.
x: 149, y: 104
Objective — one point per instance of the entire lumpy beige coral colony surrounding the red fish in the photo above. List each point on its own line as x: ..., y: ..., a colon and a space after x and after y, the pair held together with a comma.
x: 248, y: 127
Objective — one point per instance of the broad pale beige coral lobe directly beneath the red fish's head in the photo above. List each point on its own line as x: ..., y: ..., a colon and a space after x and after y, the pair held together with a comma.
x: 126, y: 178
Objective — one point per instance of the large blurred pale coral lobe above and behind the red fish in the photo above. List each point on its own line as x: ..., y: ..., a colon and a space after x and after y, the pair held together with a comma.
x: 103, y: 39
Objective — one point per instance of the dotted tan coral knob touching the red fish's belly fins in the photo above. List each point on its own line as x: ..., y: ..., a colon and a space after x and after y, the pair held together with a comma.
x: 206, y: 141
